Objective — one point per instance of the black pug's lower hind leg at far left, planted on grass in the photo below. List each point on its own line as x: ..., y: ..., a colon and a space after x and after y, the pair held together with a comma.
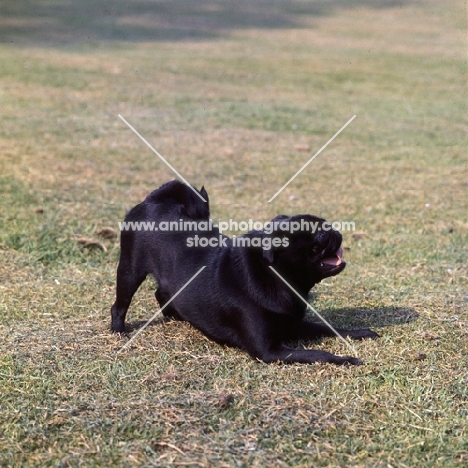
x: 128, y: 282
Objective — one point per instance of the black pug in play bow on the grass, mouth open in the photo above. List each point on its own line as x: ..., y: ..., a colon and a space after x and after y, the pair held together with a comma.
x: 236, y: 300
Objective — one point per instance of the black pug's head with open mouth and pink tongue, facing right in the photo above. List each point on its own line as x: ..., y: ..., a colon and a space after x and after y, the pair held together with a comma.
x: 310, y: 249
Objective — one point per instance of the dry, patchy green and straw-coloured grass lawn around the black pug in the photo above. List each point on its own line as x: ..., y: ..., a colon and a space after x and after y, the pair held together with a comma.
x: 237, y: 96
